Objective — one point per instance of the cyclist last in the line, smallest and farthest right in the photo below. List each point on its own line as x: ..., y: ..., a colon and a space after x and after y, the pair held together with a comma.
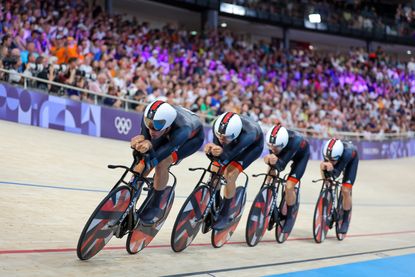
x: 341, y: 157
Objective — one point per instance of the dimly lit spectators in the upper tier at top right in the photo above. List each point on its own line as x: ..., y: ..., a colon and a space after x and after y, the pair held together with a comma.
x: 352, y: 14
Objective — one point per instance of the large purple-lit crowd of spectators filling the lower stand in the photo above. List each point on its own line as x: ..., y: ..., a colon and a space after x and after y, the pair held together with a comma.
x: 80, y: 45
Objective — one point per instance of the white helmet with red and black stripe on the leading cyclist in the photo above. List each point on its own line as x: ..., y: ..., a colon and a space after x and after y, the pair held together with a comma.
x: 159, y: 115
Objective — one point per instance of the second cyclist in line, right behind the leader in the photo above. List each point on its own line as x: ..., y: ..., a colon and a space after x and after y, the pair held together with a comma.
x: 237, y: 142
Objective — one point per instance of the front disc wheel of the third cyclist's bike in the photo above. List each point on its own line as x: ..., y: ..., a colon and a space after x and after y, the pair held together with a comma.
x: 259, y: 216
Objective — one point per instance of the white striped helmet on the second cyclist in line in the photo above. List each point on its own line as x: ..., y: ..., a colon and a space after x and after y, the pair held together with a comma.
x: 228, y: 125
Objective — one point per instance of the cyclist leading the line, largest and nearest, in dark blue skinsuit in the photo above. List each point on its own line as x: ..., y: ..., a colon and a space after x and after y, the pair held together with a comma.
x: 168, y: 135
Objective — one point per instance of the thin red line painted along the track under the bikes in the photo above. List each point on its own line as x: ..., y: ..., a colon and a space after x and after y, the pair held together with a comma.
x: 54, y: 250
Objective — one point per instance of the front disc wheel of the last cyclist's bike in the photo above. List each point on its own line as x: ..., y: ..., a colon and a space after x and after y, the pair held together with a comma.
x: 322, y: 215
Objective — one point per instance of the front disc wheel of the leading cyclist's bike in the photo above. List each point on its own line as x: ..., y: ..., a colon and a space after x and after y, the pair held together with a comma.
x: 100, y: 228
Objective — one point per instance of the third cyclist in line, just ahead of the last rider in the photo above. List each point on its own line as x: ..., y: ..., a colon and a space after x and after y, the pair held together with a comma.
x: 285, y: 146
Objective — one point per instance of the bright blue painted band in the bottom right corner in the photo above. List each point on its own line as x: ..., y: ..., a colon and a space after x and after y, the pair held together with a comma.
x: 392, y: 266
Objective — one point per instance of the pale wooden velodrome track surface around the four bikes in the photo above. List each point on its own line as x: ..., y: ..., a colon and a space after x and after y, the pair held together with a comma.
x: 51, y: 181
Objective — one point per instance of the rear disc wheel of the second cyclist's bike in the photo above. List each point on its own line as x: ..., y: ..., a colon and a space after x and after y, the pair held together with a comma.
x: 220, y: 237
